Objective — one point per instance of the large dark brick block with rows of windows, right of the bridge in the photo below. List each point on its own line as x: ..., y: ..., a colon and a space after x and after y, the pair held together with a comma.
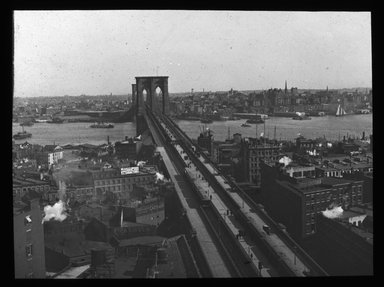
x: 294, y: 196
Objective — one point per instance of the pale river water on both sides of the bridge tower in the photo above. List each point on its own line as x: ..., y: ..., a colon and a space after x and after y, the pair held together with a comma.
x: 286, y: 129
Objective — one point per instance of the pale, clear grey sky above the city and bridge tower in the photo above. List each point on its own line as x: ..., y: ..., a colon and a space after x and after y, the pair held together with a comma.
x: 59, y: 53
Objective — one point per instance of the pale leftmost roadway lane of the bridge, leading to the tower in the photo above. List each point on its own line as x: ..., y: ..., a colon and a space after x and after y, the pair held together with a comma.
x: 214, y: 258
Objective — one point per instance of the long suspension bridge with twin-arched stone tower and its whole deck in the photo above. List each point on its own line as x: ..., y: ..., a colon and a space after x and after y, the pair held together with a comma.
x: 229, y: 234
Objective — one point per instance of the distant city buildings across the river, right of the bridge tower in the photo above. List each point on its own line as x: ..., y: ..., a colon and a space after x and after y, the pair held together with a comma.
x: 269, y: 101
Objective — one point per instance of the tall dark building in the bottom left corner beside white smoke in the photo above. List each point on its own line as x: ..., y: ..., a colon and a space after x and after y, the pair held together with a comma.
x: 28, y: 239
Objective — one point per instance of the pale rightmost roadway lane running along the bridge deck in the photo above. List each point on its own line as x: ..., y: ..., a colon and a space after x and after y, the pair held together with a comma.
x: 294, y: 261
